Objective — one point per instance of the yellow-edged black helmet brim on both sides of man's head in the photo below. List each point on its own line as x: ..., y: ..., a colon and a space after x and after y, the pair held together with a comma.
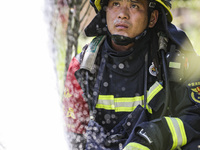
x: 98, y: 4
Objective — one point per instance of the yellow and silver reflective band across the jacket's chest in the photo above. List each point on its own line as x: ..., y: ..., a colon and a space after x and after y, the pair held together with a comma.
x: 128, y: 104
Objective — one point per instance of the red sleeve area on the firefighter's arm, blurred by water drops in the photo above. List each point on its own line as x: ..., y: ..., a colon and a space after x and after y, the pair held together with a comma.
x: 75, y: 108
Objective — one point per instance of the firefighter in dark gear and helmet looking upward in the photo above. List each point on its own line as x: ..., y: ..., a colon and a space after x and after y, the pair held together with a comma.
x: 137, y: 84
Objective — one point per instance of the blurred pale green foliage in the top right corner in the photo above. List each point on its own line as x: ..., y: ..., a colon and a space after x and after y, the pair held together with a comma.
x: 186, y: 14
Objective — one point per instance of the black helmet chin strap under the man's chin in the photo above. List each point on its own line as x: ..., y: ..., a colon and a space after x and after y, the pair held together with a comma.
x: 124, y: 40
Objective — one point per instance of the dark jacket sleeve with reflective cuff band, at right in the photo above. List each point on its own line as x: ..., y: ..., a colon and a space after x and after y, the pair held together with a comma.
x: 182, y: 128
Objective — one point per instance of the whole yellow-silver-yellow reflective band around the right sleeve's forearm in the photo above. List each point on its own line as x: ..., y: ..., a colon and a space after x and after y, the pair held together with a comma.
x: 177, y: 131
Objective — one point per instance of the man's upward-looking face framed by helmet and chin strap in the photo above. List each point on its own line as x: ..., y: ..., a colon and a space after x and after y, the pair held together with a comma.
x: 127, y: 17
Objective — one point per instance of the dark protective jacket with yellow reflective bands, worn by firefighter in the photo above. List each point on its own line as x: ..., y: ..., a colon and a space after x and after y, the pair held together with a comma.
x: 105, y: 92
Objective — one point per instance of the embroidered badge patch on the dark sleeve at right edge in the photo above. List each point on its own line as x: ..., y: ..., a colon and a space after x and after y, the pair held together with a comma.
x: 194, y: 91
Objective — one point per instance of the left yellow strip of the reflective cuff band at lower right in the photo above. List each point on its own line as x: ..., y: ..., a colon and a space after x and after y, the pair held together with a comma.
x: 173, y: 132
